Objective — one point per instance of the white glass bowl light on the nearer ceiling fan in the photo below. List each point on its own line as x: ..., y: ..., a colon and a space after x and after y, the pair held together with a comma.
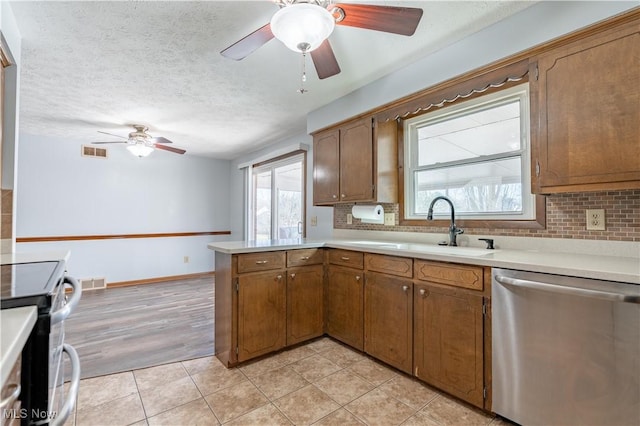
x: 302, y: 27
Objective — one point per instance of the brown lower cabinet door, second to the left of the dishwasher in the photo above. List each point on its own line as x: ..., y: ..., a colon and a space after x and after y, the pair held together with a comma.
x: 388, y: 320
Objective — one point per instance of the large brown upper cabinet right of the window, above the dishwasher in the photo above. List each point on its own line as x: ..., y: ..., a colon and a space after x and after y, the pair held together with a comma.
x: 585, y: 110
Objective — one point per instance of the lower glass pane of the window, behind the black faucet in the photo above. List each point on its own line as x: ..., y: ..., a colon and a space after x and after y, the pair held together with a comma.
x: 488, y: 187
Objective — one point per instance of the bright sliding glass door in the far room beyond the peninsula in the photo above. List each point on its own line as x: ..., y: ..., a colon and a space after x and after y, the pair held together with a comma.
x: 277, y: 199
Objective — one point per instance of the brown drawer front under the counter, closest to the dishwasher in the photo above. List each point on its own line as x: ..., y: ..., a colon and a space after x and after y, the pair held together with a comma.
x: 465, y: 276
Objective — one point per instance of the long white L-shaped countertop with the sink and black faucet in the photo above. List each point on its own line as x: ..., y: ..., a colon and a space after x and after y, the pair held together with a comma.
x: 611, y: 268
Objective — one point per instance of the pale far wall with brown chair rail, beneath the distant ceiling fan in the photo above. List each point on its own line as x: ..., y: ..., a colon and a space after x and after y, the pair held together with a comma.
x: 61, y: 193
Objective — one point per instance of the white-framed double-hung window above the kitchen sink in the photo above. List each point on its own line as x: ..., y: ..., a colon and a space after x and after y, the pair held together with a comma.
x: 474, y: 152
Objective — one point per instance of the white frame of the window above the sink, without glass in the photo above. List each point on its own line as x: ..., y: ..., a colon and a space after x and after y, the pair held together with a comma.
x: 520, y: 92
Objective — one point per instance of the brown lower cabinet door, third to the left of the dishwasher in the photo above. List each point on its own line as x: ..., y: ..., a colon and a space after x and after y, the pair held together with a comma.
x: 345, y: 305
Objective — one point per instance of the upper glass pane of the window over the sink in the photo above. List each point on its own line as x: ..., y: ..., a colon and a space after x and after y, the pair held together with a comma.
x: 483, y: 132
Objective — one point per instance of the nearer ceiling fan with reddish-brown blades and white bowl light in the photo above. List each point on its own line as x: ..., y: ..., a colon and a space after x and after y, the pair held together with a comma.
x: 303, y: 26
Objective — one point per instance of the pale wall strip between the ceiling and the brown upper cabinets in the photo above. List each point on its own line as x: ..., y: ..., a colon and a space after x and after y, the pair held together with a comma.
x: 535, y: 25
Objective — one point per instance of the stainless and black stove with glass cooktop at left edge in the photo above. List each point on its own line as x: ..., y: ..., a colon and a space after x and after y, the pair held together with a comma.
x: 43, y: 284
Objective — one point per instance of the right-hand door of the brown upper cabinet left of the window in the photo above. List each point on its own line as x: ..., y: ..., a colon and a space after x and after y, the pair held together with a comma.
x: 356, y: 161
